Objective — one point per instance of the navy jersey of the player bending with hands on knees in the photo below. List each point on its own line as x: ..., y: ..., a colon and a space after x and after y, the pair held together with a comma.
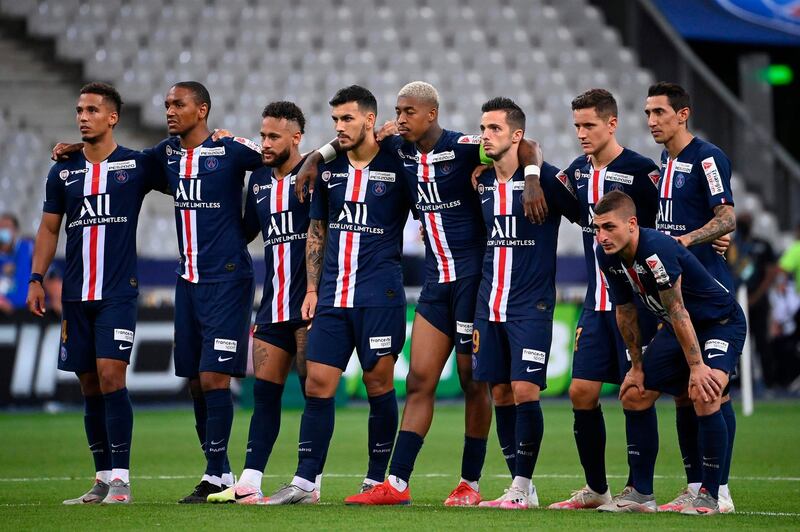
x: 658, y: 263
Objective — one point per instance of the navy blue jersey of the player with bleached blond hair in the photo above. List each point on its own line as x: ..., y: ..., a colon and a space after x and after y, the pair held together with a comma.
x: 446, y: 203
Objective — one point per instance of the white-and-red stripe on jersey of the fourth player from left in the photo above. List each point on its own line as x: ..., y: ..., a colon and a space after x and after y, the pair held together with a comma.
x: 350, y: 241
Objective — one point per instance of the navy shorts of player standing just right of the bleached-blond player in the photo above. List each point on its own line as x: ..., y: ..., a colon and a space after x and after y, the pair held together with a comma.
x: 511, y: 351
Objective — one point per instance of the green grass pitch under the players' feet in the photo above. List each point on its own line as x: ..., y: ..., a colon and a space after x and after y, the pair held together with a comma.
x: 44, y: 459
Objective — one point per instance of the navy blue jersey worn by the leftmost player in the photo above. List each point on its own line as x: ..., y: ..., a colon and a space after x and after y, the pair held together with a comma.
x: 101, y: 202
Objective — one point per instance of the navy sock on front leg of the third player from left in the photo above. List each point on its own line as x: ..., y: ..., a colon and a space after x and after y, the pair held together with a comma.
x: 265, y: 424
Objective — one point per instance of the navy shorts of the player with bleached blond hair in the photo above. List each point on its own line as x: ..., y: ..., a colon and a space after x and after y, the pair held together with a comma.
x: 450, y: 307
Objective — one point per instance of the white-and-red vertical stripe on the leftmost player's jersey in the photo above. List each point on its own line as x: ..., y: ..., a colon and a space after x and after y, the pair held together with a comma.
x: 94, y: 236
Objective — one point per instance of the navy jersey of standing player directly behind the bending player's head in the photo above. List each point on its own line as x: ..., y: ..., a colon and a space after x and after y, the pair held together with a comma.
x: 631, y: 173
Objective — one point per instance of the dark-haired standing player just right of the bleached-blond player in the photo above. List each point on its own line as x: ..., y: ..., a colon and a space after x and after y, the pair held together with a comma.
x: 514, y: 313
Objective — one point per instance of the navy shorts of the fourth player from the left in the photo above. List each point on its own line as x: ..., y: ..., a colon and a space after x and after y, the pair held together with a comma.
x: 373, y: 332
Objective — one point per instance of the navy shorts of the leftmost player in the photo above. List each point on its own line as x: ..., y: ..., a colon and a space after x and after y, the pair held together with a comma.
x: 96, y: 329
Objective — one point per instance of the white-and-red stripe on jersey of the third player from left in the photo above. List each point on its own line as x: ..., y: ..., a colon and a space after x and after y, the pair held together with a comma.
x: 281, y: 254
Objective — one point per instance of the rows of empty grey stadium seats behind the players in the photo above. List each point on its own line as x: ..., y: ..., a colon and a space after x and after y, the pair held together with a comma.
x: 540, y: 52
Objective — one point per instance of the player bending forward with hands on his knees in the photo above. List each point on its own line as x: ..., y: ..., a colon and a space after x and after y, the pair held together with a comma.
x: 699, y: 344
